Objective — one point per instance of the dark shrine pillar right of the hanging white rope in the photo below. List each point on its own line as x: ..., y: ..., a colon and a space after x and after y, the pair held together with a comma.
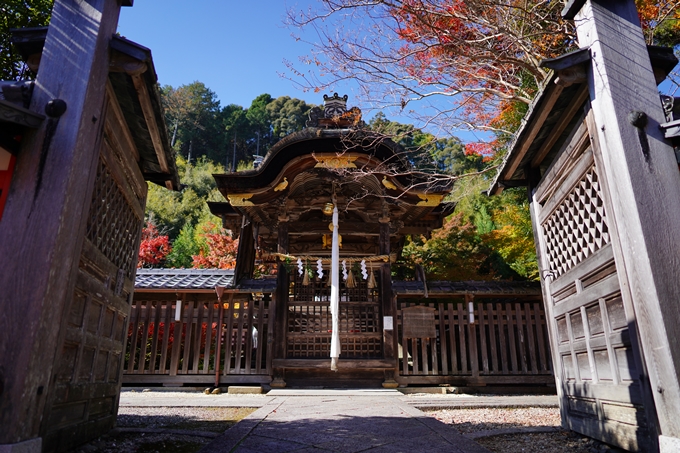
x: 388, y: 304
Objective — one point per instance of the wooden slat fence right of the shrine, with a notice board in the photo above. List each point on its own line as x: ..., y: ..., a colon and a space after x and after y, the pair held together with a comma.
x: 504, y: 339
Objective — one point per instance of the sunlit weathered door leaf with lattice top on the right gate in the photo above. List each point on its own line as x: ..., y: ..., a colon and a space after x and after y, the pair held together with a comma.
x: 600, y: 377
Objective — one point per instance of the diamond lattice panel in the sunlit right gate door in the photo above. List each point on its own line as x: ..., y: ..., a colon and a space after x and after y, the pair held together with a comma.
x: 578, y: 226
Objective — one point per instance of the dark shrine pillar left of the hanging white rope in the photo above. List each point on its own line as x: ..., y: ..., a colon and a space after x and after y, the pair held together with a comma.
x: 281, y: 306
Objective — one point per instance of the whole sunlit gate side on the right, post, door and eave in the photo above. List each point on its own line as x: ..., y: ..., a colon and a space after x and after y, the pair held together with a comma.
x: 604, y: 189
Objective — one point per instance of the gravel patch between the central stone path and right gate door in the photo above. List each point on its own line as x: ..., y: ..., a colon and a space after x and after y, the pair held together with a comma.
x: 483, y: 422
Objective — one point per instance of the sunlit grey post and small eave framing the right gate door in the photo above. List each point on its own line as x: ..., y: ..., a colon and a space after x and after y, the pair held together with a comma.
x: 639, y: 176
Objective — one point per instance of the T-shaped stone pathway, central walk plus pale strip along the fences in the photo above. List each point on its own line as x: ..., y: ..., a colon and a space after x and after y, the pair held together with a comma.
x: 343, y: 421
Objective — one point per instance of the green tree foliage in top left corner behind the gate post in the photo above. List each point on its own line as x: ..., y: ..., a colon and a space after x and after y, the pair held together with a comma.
x: 19, y: 14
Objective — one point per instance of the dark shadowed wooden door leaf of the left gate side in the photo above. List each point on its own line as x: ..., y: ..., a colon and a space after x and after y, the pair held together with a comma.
x: 88, y: 368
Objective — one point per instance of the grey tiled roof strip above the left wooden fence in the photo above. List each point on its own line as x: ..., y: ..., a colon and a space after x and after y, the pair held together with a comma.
x: 183, y: 279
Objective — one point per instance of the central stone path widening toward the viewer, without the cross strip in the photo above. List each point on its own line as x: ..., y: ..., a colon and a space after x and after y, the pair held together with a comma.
x: 342, y: 424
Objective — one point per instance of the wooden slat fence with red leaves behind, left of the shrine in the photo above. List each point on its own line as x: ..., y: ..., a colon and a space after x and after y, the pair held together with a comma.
x: 160, y: 346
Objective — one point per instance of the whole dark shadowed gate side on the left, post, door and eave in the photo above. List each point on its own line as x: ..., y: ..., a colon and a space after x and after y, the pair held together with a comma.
x: 65, y: 290
